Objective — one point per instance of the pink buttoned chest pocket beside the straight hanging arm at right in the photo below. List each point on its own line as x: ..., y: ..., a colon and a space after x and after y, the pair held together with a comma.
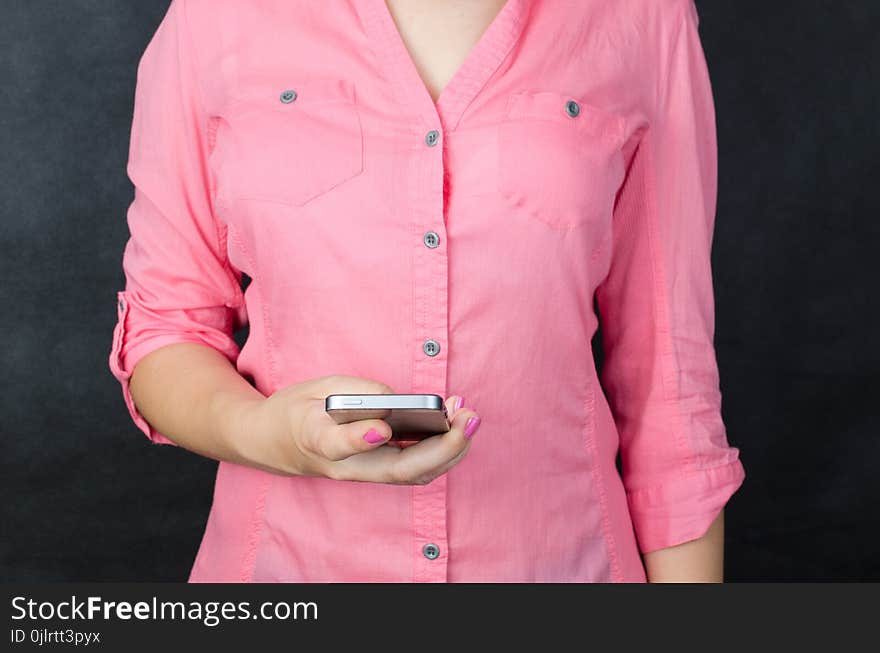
x: 559, y: 158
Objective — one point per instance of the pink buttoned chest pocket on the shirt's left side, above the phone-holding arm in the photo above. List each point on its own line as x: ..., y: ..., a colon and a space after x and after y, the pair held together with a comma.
x: 288, y: 140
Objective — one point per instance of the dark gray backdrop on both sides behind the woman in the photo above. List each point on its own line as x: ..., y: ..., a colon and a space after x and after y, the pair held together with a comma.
x: 86, y: 497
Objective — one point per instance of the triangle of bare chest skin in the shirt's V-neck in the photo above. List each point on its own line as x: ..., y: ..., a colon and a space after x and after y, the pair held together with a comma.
x: 440, y: 33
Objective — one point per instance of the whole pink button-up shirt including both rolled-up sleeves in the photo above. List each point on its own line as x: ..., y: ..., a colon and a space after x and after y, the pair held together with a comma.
x: 566, y: 174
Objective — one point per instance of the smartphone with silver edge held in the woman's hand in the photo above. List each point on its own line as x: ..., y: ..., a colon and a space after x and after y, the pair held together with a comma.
x: 412, y: 417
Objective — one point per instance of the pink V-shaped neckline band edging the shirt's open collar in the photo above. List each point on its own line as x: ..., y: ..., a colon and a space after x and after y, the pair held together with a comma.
x: 469, y: 77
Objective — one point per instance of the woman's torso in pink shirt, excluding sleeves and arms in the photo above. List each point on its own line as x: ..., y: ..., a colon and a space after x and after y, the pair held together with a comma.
x: 441, y: 247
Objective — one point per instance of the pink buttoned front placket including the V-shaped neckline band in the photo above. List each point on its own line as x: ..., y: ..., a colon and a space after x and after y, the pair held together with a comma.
x: 422, y: 174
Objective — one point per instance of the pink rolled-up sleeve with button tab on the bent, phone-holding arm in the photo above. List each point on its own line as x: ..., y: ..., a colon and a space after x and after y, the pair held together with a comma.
x: 179, y: 284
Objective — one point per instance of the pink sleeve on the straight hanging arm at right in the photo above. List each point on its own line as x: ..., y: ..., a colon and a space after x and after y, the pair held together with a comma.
x: 656, y: 307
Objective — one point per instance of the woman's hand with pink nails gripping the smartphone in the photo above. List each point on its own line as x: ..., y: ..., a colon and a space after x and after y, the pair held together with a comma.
x: 302, y: 439
